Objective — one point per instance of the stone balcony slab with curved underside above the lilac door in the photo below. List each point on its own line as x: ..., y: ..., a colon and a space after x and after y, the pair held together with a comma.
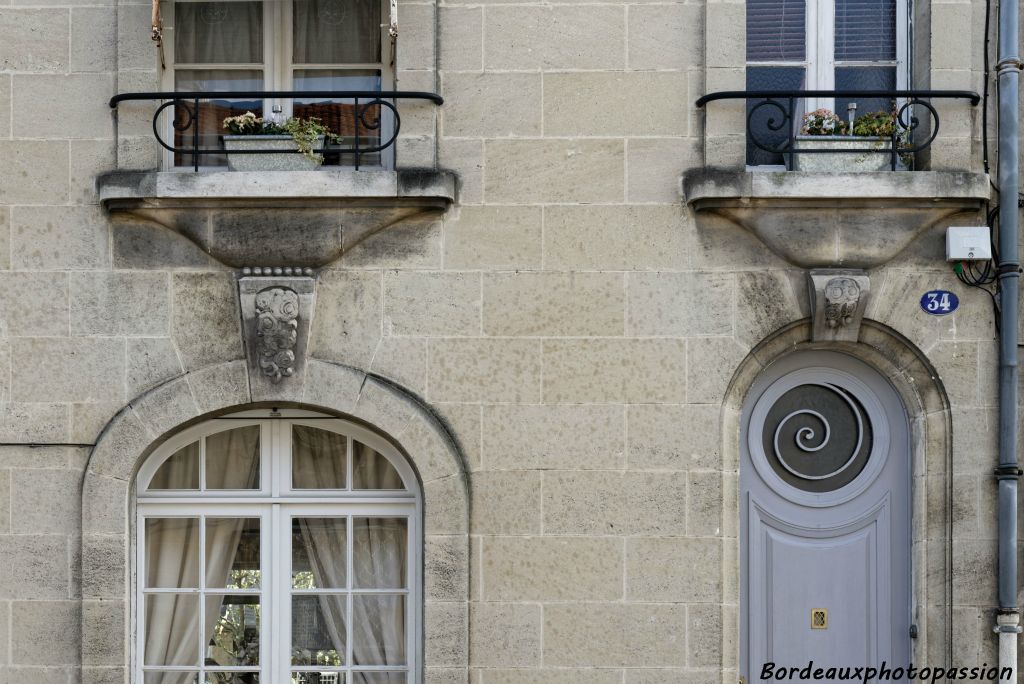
x: 831, y: 221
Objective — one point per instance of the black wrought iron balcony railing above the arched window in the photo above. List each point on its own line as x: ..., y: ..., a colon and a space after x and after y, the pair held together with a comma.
x: 367, y: 122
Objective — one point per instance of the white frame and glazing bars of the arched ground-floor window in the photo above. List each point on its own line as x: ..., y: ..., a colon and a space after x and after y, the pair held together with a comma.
x: 275, y: 504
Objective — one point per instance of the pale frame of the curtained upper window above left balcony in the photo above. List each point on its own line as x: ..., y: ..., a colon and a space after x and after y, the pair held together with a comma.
x: 279, y: 72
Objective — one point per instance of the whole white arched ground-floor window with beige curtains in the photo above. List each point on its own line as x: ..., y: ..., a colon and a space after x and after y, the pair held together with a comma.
x: 278, y: 547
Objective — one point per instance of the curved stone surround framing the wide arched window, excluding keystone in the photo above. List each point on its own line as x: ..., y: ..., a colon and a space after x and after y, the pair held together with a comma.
x: 108, y: 497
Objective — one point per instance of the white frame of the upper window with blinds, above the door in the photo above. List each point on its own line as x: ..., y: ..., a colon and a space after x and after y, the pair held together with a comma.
x: 820, y: 53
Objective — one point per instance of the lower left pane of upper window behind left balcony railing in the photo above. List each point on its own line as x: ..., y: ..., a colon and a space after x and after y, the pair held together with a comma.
x: 212, y: 113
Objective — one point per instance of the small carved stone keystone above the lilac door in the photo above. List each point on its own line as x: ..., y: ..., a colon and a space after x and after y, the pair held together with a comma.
x: 839, y: 297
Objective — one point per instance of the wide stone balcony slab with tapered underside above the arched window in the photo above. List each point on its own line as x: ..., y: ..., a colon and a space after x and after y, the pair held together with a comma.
x: 284, y: 219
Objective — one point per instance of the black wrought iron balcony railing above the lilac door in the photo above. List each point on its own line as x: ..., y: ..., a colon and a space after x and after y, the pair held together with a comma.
x: 775, y: 121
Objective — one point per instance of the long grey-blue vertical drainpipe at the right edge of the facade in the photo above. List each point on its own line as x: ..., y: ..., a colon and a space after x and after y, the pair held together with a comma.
x: 1008, y: 474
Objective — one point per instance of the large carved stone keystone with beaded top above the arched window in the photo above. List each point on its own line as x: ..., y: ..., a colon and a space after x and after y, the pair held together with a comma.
x: 277, y: 311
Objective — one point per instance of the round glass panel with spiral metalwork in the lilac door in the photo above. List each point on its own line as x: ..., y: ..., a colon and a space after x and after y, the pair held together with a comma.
x: 818, y: 438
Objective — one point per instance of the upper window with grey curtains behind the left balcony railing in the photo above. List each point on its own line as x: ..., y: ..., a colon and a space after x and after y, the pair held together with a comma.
x: 275, y: 46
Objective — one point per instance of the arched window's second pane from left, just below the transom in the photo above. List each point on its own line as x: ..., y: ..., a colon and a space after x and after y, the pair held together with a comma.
x: 233, y: 553
